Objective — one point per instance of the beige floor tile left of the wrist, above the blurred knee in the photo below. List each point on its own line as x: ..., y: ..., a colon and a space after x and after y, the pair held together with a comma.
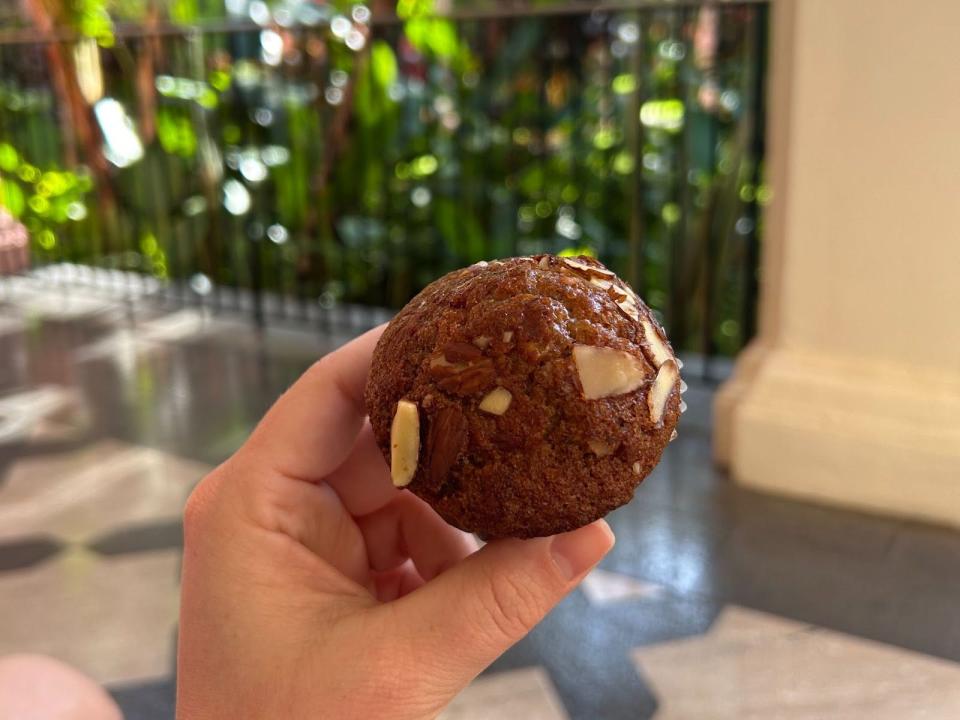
x: 111, y: 618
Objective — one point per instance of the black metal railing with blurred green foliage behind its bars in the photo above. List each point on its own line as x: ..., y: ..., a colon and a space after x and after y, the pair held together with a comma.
x: 294, y: 166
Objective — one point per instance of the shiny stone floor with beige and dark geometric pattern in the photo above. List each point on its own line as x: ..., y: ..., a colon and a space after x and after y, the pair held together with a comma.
x: 716, y: 603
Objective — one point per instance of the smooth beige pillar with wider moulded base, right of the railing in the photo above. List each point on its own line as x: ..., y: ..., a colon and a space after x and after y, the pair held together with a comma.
x: 851, y: 392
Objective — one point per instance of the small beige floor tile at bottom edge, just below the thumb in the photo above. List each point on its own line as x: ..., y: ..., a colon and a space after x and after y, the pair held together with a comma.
x: 526, y: 693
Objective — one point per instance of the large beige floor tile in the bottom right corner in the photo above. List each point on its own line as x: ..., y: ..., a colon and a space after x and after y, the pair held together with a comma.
x: 753, y: 665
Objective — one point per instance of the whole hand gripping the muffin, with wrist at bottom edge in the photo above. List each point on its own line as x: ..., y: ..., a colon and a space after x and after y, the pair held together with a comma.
x: 312, y: 588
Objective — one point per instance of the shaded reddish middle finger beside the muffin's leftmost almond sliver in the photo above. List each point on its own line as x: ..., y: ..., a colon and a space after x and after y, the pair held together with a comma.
x: 363, y: 480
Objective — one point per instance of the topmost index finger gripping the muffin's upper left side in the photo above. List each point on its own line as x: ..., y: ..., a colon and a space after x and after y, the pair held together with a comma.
x: 312, y: 427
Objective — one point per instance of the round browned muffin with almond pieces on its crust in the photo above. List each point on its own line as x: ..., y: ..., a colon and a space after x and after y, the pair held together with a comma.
x: 557, y: 456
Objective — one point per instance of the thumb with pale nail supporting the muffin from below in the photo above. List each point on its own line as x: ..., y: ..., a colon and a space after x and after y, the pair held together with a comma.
x: 468, y: 616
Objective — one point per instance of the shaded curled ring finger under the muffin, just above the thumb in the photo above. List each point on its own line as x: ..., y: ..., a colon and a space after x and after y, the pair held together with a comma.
x: 409, y: 528
